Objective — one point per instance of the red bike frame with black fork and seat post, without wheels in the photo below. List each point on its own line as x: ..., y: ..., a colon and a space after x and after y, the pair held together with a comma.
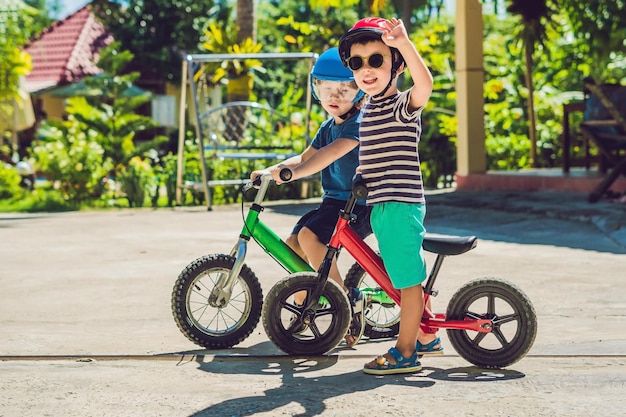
x: 371, y: 262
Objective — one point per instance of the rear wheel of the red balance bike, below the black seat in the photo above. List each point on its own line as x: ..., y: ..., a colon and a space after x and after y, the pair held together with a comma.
x: 514, y: 328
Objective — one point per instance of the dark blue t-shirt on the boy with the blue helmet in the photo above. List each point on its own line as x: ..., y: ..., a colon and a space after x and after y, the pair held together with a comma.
x: 337, y: 177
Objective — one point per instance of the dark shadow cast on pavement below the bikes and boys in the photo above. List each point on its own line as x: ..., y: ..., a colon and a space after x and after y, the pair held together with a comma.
x: 303, y: 384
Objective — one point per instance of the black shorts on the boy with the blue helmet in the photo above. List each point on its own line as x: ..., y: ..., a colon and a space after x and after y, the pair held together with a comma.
x: 322, y: 220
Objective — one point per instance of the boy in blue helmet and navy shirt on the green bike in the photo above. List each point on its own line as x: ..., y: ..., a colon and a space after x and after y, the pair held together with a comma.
x: 335, y: 152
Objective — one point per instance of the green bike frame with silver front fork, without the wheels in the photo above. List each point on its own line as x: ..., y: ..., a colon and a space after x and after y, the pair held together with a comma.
x: 269, y: 241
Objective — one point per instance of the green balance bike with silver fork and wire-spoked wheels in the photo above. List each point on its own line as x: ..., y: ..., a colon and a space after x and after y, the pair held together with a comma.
x: 217, y: 299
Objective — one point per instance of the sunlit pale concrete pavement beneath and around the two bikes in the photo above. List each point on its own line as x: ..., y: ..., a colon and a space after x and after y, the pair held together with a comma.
x: 86, y: 327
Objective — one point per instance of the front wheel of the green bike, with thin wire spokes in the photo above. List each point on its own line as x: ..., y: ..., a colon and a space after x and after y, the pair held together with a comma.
x: 209, y: 326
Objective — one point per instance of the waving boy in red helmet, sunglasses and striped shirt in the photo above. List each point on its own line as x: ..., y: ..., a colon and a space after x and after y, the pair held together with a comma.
x: 377, y: 51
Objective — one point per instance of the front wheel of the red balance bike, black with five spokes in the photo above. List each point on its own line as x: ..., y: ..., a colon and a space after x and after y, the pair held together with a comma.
x: 282, y: 319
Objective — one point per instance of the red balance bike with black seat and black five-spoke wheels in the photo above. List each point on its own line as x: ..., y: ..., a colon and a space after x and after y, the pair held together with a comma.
x: 490, y: 322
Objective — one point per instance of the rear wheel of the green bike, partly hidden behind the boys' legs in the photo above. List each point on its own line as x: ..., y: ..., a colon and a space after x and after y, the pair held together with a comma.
x: 382, y: 317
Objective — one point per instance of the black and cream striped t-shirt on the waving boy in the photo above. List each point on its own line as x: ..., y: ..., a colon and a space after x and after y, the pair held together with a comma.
x: 388, y: 155
